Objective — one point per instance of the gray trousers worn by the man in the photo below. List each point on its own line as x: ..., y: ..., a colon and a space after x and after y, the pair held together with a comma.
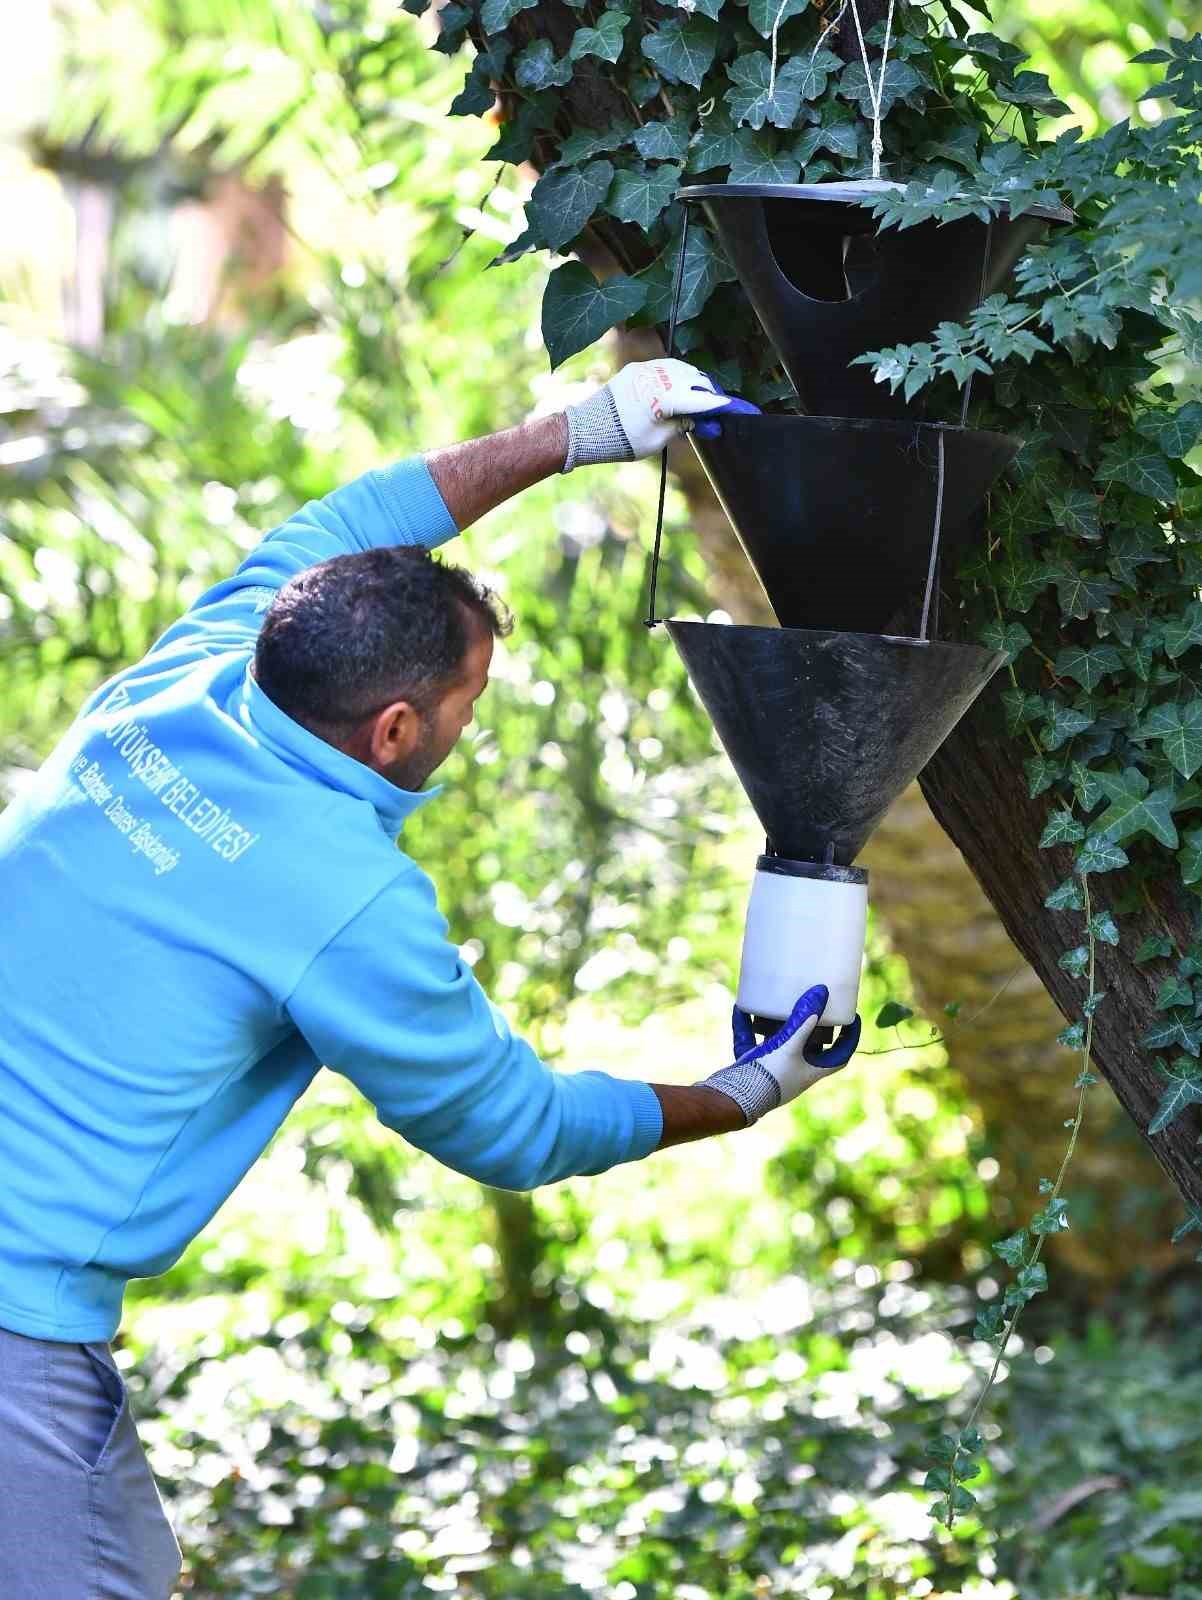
x: 81, y: 1516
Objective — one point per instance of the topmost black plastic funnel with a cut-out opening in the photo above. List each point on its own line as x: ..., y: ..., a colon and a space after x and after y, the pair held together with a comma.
x: 828, y: 287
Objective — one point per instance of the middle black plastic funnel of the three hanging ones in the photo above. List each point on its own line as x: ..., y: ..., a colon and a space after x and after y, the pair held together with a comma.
x: 838, y: 514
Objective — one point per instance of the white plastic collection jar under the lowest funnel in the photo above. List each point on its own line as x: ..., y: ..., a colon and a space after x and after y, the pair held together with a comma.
x: 806, y: 926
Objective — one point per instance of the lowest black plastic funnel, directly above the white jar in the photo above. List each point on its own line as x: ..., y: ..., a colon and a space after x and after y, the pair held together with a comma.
x: 825, y: 730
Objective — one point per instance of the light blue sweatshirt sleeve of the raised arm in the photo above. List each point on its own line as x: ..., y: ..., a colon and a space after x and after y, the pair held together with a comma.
x: 398, y: 505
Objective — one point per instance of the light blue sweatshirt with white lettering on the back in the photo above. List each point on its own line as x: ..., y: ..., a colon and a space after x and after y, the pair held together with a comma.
x: 201, y: 902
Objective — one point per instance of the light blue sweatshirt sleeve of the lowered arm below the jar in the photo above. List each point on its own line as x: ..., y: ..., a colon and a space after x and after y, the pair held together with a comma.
x: 391, y: 1006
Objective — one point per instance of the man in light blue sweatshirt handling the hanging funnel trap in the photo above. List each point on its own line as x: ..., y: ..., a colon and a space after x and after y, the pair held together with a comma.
x: 204, y: 902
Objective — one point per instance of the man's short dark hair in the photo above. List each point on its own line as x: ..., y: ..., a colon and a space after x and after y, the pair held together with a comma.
x: 345, y: 639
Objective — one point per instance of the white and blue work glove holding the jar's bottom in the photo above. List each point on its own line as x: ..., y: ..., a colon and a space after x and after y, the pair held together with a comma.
x: 787, y: 1065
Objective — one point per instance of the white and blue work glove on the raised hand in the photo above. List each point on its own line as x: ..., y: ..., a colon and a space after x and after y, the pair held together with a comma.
x: 643, y: 409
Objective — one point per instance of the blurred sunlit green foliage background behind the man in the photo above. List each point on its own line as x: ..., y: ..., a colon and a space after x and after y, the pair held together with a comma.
x: 247, y: 257
